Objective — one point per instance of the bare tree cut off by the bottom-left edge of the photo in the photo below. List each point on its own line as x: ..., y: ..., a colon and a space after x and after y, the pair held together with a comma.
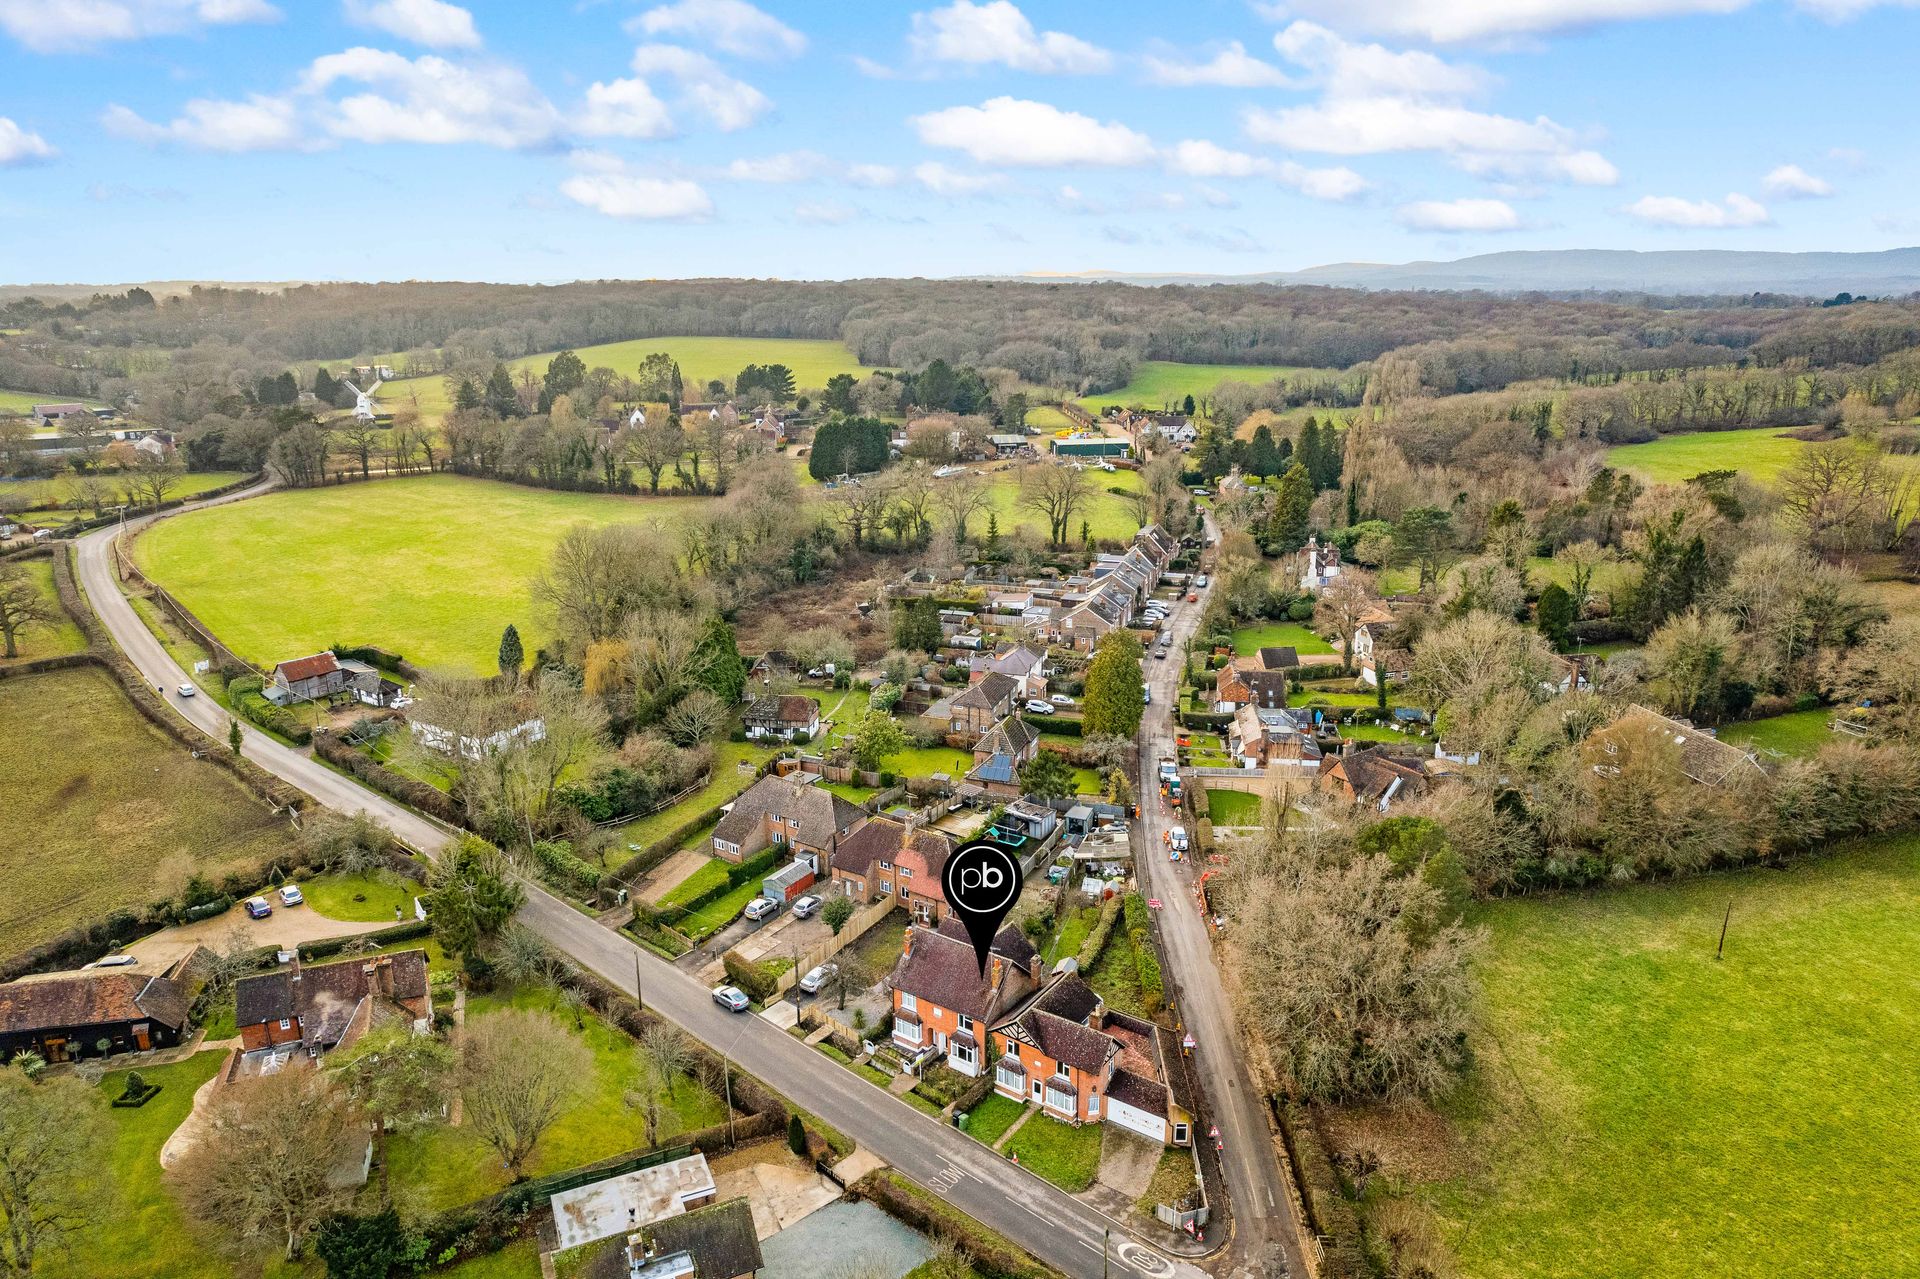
x: 51, y: 1142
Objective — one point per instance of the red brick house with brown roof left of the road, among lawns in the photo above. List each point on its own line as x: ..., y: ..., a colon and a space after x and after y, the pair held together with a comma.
x: 324, y: 1007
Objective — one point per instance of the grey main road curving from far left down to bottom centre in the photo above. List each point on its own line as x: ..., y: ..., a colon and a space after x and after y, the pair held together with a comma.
x: 1028, y: 1211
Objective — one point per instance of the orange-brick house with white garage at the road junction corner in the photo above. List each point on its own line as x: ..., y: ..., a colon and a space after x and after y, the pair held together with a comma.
x: 1082, y: 1063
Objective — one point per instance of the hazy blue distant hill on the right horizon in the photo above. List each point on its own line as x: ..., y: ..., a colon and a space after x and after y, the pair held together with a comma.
x: 1668, y: 272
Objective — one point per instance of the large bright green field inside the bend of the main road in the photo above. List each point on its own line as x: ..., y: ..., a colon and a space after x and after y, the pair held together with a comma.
x: 431, y: 567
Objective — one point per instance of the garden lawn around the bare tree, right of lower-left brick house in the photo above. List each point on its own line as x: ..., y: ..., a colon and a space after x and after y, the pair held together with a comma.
x: 448, y: 1167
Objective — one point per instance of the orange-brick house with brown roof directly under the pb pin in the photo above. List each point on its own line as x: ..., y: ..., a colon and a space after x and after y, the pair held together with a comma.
x: 942, y: 1000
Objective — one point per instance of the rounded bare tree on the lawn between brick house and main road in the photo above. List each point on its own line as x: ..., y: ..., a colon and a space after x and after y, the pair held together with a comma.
x: 517, y: 1076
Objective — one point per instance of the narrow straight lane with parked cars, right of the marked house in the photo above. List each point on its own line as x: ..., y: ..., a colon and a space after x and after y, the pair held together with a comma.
x: 1262, y: 1199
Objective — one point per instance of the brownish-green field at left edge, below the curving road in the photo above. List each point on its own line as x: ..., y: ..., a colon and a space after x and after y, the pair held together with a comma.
x: 110, y: 813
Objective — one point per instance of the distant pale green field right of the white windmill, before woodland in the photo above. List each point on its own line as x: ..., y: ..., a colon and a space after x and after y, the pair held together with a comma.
x: 813, y: 364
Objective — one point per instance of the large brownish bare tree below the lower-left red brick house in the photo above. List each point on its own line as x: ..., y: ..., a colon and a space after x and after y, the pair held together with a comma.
x: 268, y: 1155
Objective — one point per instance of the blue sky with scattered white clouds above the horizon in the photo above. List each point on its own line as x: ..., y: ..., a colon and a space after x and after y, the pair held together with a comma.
x: 418, y: 139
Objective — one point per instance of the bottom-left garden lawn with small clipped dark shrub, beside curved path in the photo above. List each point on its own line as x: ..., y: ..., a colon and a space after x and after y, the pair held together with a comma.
x: 151, y: 1236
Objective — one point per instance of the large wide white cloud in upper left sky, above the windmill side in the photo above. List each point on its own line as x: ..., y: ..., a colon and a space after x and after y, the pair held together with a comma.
x: 433, y: 101
